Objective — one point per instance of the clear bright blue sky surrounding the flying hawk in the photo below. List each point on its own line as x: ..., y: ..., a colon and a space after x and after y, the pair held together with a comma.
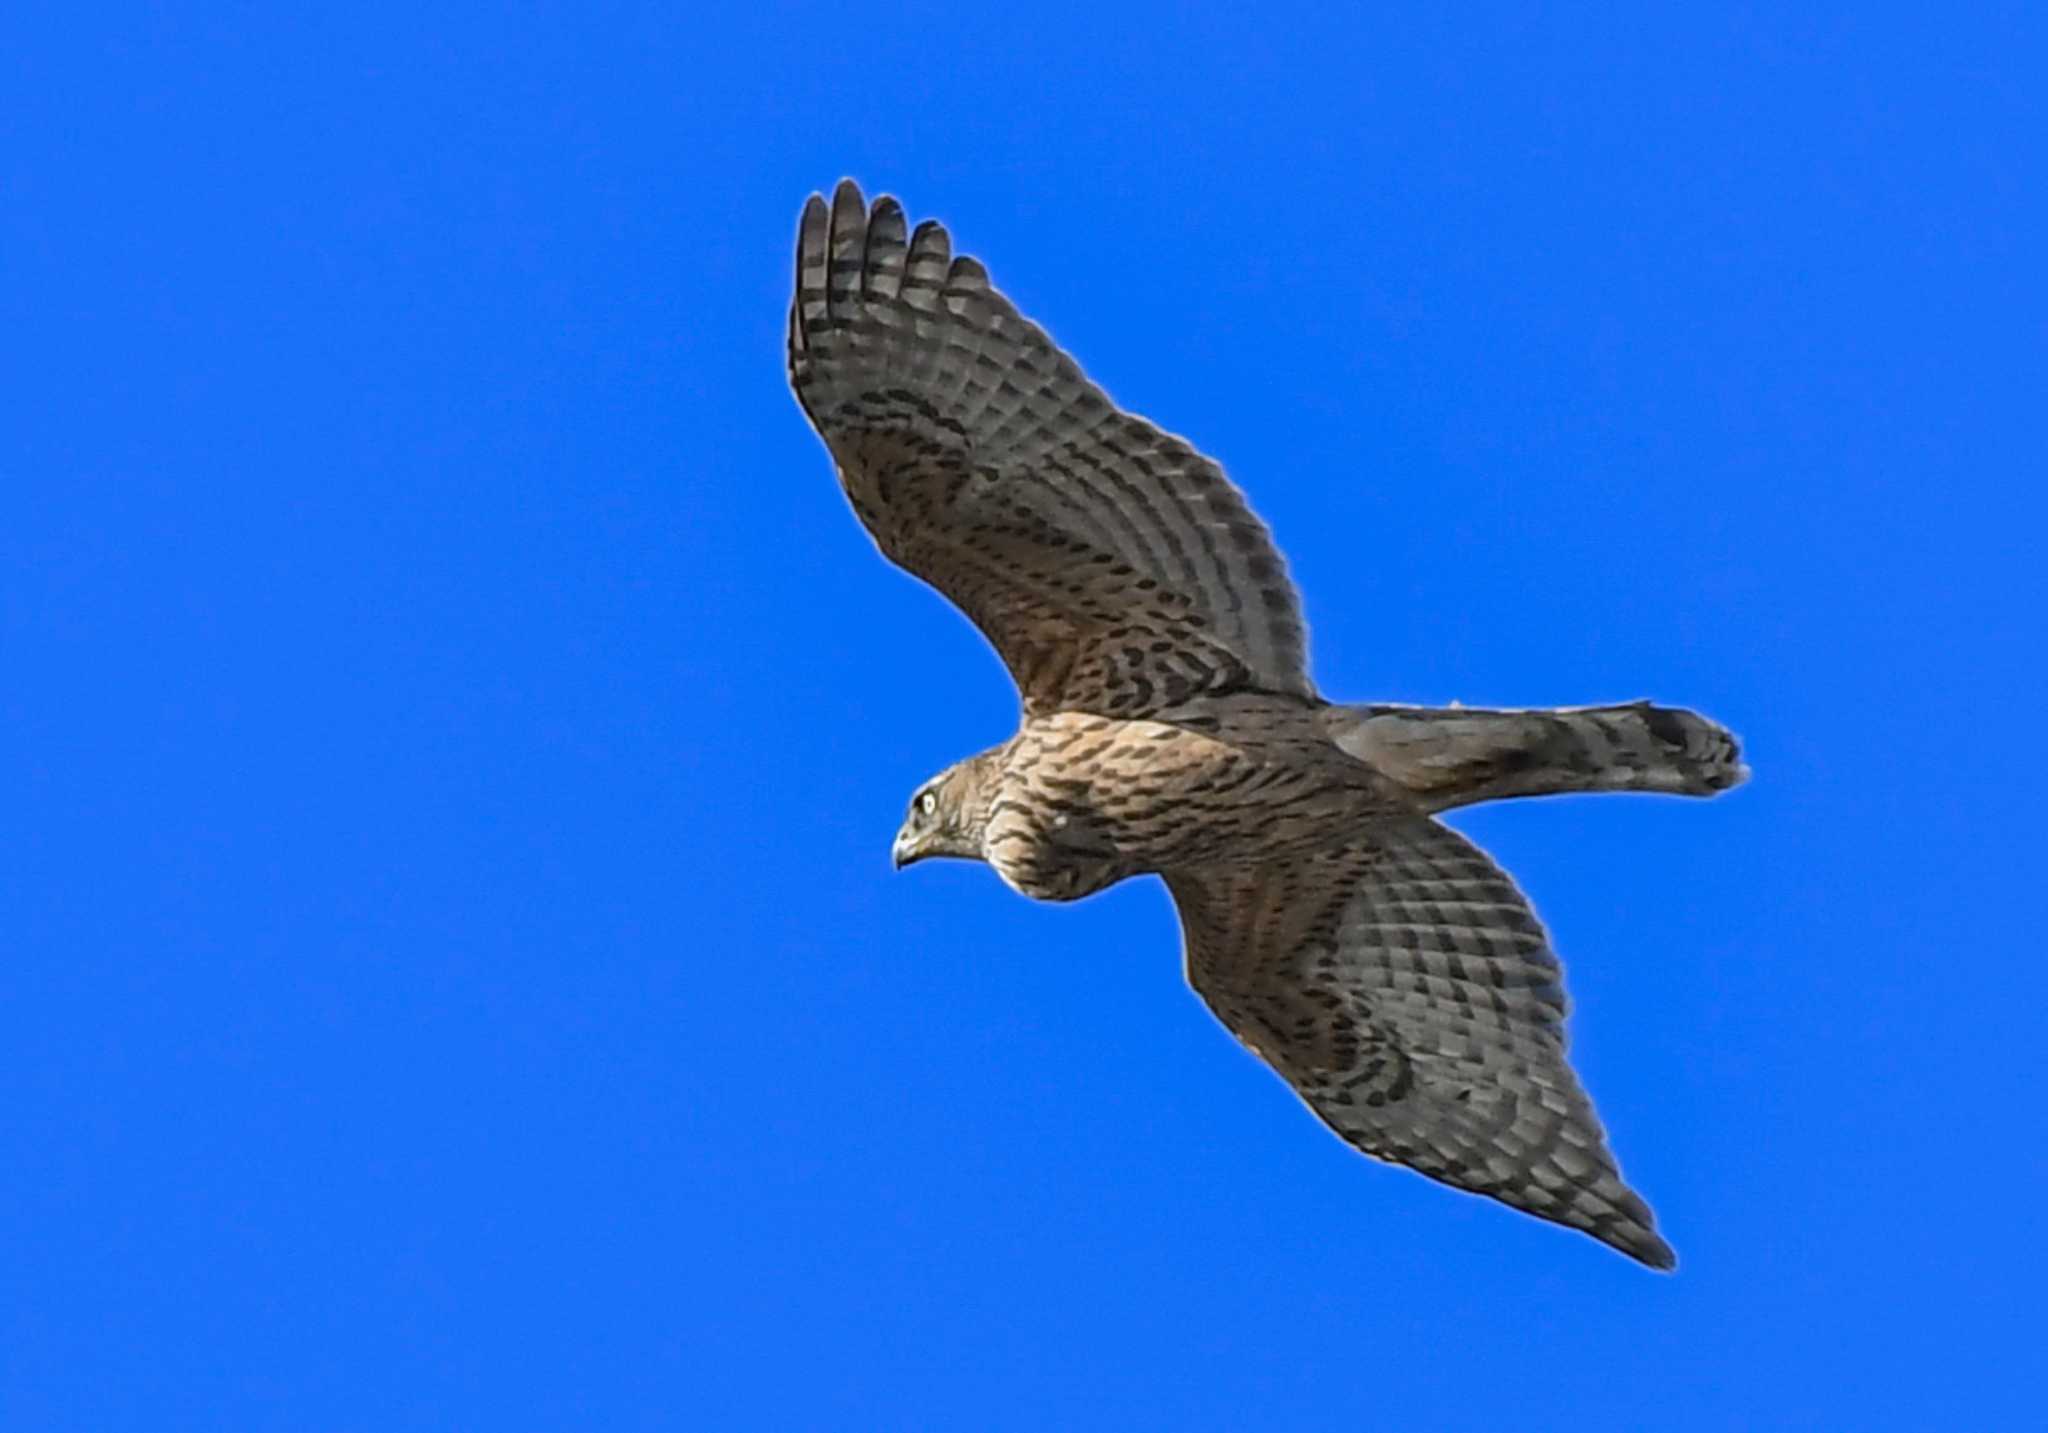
x: 452, y: 726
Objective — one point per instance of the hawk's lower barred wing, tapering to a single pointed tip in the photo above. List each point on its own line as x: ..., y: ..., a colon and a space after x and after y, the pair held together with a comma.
x: 1406, y: 990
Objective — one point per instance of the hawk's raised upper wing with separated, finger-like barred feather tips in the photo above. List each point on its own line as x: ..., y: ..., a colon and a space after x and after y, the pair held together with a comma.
x: 1111, y: 564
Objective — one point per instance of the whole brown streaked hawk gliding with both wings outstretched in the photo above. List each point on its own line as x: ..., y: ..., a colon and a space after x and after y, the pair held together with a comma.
x: 1373, y: 957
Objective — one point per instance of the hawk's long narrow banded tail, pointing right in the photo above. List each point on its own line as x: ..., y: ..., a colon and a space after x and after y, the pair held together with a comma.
x: 1463, y: 754
